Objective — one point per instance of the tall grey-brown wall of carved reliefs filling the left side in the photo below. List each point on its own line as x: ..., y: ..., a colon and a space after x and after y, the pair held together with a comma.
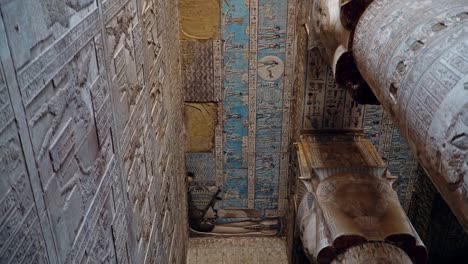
x: 91, y: 138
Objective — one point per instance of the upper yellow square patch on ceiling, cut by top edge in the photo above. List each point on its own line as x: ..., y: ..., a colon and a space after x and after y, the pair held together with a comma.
x: 199, y: 19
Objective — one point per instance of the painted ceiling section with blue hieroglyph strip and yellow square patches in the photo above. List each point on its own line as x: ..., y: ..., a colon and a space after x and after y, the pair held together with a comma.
x: 246, y: 69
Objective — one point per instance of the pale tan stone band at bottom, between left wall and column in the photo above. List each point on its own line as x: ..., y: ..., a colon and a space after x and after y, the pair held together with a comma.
x: 237, y: 251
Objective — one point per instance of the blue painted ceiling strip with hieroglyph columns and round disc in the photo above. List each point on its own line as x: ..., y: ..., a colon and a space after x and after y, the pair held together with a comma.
x: 252, y: 105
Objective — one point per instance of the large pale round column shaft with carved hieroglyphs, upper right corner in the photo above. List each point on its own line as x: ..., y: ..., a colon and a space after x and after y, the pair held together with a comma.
x: 414, y: 56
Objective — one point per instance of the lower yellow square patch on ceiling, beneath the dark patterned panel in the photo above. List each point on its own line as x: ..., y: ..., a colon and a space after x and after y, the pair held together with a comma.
x: 200, y: 121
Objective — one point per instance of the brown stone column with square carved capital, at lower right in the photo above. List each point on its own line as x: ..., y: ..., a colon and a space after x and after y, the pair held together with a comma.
x: 345, y: 199
